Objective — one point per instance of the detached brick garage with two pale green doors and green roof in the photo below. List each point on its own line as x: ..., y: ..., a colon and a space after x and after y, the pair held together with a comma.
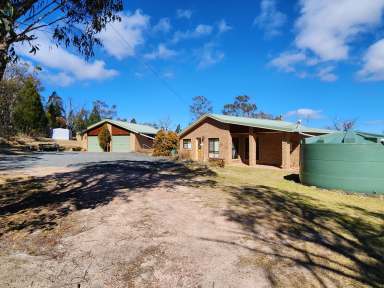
x: 126, y: 137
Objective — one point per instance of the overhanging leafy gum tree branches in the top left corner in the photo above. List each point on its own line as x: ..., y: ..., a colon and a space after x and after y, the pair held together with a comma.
x: 73, y: 23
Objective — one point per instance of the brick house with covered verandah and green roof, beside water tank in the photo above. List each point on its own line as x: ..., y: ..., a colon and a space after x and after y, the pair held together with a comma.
x: 245, y: 140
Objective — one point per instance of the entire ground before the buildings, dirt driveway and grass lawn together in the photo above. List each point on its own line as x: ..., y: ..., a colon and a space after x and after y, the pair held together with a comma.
x: 110, y: 220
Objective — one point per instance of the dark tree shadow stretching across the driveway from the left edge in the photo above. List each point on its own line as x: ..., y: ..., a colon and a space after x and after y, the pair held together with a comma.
x: 41, y: 202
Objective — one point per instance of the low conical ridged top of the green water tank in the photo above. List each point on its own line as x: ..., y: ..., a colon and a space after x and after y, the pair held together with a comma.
x: 349, y: 137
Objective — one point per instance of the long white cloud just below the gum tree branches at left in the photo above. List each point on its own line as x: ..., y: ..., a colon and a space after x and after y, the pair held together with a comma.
x: 72, y: 66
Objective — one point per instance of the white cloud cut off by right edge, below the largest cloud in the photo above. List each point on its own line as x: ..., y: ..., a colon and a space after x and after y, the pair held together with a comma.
x: 373, y: 68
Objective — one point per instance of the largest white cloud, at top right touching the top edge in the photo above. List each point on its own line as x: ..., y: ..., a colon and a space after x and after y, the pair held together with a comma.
x: 327, y: 27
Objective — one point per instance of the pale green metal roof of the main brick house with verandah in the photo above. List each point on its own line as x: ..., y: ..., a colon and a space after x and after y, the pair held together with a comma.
x: 276, y: 125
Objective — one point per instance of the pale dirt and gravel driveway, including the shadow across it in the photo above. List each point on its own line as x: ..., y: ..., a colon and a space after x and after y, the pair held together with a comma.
x: 126, y: 223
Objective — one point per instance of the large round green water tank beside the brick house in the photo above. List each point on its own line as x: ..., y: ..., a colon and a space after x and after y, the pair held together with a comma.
x: 350, y: 161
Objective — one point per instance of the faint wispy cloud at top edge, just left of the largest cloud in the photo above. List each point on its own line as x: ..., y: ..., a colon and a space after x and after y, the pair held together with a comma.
x: 270, y: 19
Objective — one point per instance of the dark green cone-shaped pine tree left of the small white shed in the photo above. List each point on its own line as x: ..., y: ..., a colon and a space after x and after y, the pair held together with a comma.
x: 29, y: 116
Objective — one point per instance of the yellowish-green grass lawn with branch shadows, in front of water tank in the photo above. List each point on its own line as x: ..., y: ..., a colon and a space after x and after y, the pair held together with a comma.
x: 333, y: 237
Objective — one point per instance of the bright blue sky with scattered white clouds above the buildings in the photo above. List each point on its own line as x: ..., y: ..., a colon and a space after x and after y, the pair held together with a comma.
x: 315, y: 60
